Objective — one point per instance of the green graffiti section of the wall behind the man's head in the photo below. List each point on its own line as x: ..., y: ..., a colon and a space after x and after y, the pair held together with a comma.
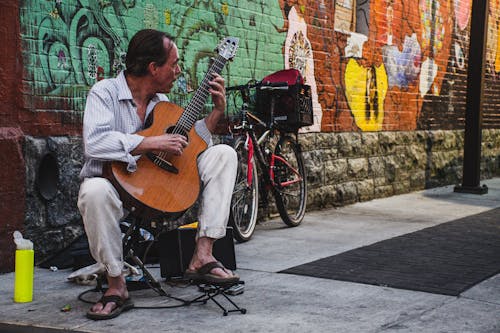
x: 71, y: 44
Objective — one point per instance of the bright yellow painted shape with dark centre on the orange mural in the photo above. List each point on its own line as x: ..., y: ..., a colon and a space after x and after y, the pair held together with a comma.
x: 357, y: 90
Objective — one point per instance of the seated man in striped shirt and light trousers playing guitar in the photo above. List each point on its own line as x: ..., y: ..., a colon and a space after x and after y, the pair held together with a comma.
x: 115, y: 110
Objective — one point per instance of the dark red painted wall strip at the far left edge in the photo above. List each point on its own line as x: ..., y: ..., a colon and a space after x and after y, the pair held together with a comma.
x: 12, y: 173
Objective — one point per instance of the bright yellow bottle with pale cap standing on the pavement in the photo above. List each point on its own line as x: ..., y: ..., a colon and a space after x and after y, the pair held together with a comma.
x: 24, y: 269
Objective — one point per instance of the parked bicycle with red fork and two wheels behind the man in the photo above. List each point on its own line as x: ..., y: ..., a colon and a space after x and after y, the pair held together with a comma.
x: 275, y: 151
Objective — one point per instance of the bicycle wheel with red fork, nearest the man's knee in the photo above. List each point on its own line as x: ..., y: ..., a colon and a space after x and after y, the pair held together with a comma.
x: 245, y: 199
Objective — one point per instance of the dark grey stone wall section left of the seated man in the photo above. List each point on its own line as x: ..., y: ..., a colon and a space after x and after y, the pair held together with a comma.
x: 52, y: 167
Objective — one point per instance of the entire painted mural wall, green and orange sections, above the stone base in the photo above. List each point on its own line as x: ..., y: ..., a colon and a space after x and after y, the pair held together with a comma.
x: 372, y: 65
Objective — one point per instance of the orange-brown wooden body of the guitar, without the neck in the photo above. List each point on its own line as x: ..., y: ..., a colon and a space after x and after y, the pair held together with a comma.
x: 153, y: 191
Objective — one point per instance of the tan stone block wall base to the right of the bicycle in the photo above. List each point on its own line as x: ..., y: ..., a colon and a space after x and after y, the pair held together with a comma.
x: 344, y: 168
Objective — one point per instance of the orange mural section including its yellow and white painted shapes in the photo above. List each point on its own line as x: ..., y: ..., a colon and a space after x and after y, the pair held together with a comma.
x: 398, y: 59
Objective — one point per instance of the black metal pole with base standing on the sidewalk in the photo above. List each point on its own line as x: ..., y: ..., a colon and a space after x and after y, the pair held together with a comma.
x: 474, y: 108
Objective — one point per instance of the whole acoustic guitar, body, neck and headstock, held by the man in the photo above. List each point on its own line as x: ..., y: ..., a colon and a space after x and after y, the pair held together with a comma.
x: 165, y: 184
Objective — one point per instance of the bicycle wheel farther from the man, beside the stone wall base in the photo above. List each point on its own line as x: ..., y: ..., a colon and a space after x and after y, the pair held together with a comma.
x: 290, y: 191
